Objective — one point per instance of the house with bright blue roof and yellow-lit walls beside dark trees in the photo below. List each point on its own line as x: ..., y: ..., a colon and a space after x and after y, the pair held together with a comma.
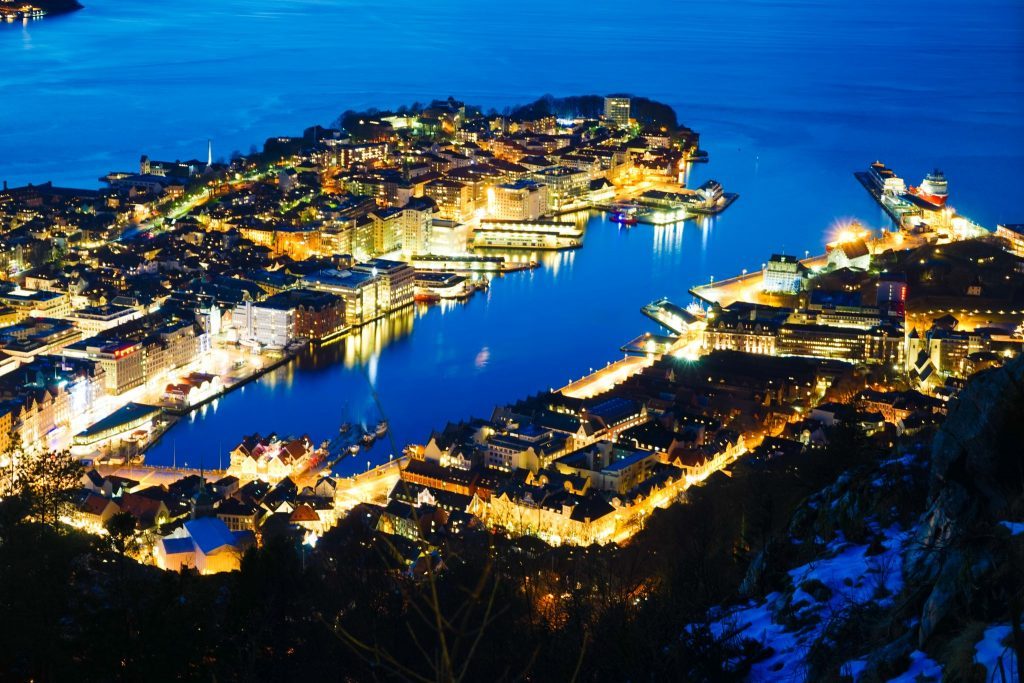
x: 205, y: 544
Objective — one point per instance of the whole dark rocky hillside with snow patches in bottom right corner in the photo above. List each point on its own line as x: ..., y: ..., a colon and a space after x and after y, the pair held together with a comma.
x: 911, y: 568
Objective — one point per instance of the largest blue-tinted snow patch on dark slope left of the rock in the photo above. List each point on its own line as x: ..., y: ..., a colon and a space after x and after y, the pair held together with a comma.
x: 852, y: 577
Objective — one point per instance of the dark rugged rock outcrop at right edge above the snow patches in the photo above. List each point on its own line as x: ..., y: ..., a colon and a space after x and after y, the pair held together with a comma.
x: 976, y: 478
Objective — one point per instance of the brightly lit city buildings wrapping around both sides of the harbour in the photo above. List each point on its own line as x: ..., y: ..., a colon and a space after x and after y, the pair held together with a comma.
x: 133, y: 305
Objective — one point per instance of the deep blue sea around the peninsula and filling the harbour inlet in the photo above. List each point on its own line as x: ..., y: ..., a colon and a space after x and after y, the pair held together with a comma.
x: 791, y: 98
